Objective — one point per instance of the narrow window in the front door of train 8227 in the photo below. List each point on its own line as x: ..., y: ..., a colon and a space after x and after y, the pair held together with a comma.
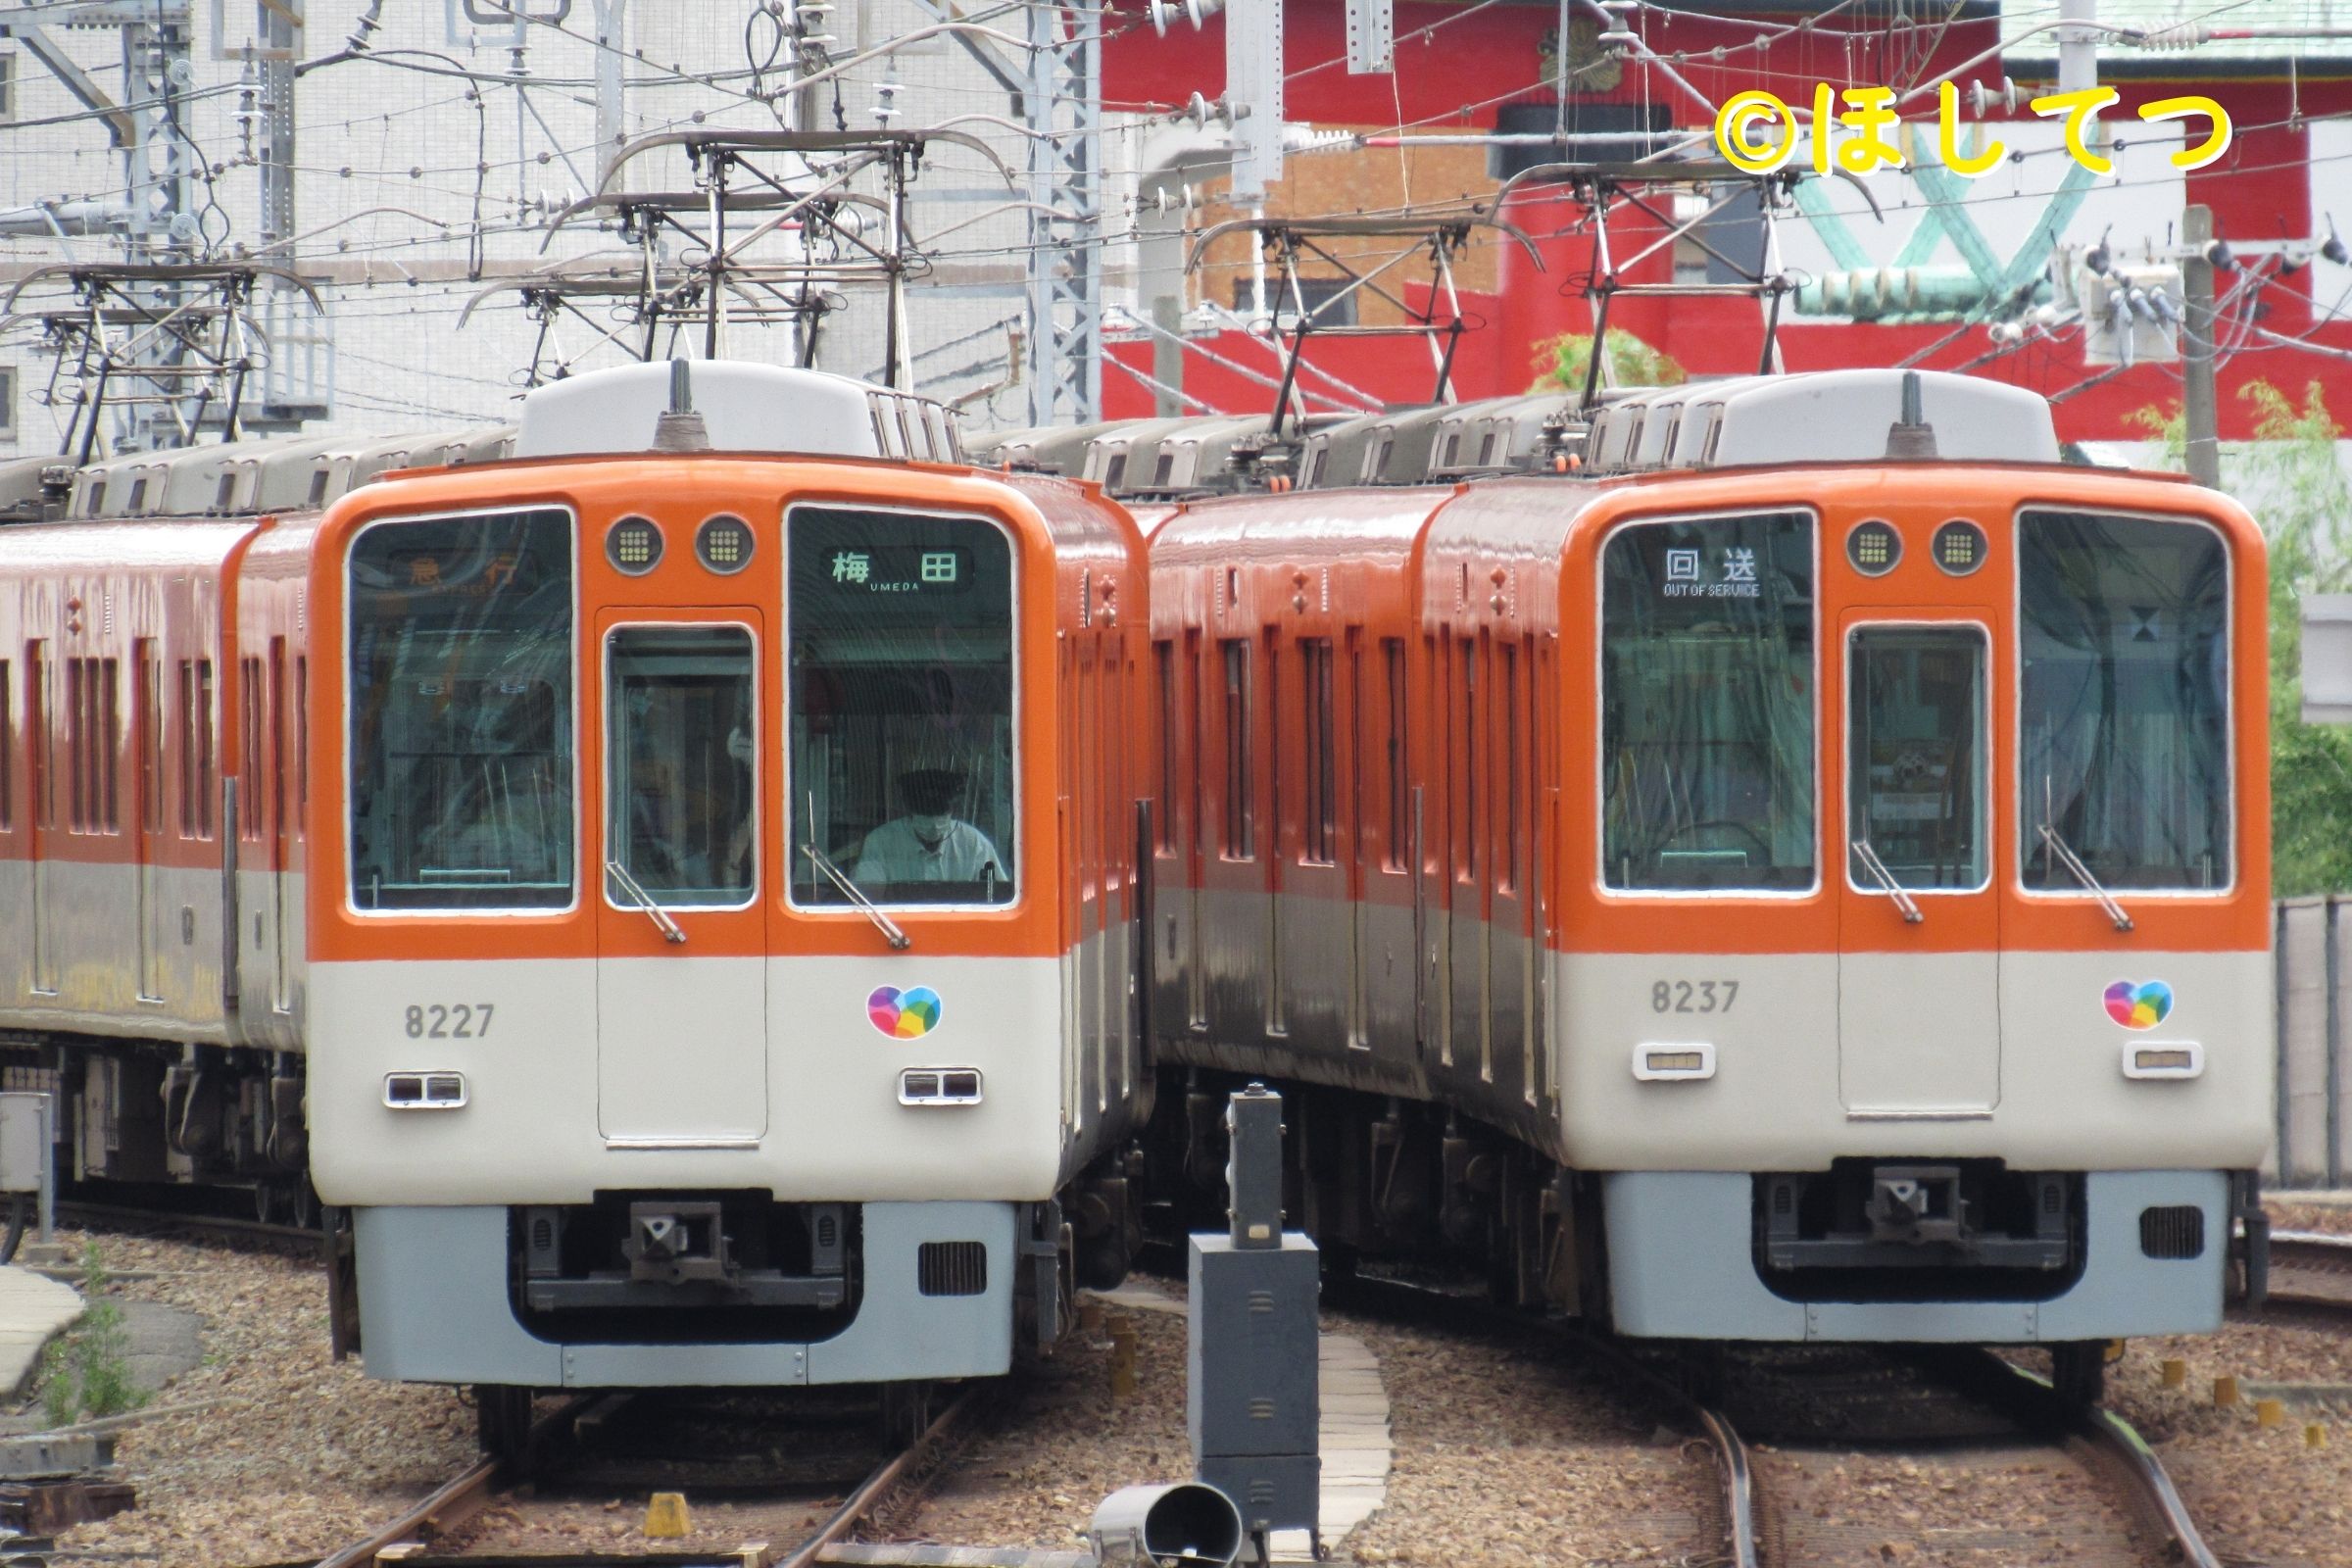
x: 679, y: 758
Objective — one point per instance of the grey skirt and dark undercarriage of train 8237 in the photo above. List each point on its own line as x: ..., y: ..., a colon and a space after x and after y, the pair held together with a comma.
x: 1866, y: 1249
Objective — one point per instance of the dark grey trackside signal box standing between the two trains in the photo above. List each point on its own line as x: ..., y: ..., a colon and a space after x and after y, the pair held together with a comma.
x: 1250, y: 1339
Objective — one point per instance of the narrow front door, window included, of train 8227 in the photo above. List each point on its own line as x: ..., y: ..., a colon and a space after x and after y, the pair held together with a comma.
x: 681, y: 920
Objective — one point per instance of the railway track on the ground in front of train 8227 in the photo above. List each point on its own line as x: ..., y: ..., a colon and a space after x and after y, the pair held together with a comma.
x: 594, y: 1447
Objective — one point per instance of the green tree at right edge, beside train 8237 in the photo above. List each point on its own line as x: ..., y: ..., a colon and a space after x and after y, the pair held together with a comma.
x: 2297, y: 490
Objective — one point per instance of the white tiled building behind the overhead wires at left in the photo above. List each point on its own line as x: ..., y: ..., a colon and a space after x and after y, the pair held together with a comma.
x: 420, y: 185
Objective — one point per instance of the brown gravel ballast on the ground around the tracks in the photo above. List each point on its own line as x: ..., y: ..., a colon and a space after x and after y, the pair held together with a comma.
x: 1509, y: 1449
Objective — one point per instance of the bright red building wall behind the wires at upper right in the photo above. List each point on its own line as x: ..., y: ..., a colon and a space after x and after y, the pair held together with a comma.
x: 1459, y: 65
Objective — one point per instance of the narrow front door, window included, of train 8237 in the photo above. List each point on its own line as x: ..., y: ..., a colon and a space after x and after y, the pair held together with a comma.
x: 1918, y: 998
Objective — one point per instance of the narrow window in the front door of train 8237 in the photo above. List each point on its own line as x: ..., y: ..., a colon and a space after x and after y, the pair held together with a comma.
x: 1916, y: 756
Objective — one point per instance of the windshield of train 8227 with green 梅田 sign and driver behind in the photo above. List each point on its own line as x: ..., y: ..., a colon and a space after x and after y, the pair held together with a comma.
x: 902, y: 709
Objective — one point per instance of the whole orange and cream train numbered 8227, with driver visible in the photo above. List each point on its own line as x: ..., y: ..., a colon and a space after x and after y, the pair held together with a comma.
x: 686, y: 869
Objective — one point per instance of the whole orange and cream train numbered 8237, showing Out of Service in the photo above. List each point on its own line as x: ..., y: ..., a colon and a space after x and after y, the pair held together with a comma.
x: 1796, y: 876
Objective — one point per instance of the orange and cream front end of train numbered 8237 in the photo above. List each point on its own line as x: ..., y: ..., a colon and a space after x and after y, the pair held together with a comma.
x: 1916, y: 979
